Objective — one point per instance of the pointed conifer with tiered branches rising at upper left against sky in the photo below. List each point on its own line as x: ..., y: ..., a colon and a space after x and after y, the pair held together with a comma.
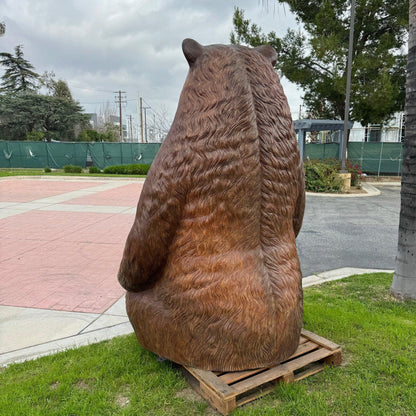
x: 18, y: 74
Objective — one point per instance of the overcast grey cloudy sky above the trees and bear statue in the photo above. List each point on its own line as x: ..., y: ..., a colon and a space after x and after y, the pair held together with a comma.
x: 102, y: 46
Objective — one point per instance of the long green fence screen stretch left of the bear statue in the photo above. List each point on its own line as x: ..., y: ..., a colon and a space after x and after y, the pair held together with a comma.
x: 15, y: 154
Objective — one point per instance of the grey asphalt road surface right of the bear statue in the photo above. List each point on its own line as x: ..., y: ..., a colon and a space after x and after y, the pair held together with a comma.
x: 350, y: 232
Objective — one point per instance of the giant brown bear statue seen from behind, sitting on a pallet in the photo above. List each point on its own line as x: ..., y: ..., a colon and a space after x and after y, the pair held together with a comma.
x: 210, y: 265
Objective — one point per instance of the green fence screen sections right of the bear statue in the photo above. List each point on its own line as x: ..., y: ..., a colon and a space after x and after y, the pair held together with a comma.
x: 378, y: 158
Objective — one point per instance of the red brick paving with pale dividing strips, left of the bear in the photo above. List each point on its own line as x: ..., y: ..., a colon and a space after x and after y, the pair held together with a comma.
x: 63, y: 260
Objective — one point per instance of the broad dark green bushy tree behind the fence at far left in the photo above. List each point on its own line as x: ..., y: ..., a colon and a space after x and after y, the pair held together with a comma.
x: 23, y: 114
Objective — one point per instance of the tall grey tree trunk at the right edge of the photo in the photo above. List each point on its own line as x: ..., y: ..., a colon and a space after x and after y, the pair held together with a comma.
x: 404, y: 280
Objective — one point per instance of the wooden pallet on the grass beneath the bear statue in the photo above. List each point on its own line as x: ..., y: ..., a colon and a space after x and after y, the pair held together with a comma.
x: 227, y: 391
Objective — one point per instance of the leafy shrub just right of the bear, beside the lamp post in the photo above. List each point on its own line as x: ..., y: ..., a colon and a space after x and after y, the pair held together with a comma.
x: 322, y: 176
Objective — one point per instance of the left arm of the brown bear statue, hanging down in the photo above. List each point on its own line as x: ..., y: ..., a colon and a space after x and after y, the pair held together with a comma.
x: 157, y: 217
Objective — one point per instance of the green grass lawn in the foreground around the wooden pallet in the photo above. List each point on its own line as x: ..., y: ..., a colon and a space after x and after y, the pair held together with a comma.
x: 118, y: 377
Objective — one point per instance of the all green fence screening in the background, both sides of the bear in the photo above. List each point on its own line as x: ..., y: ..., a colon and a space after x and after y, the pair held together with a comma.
x: 375, y: 158
